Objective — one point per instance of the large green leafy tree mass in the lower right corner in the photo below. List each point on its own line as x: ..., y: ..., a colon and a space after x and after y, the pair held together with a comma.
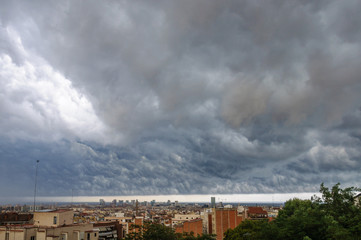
x: 335, y: 215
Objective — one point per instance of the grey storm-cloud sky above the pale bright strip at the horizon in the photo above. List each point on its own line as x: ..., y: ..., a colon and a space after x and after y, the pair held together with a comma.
x: 158, y: 97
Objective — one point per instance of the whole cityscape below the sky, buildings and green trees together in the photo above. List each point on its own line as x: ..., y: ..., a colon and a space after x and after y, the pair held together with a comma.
x: 133, y: 220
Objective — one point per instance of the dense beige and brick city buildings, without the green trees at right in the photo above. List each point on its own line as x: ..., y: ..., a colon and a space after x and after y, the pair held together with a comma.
x: 114, y: 220
